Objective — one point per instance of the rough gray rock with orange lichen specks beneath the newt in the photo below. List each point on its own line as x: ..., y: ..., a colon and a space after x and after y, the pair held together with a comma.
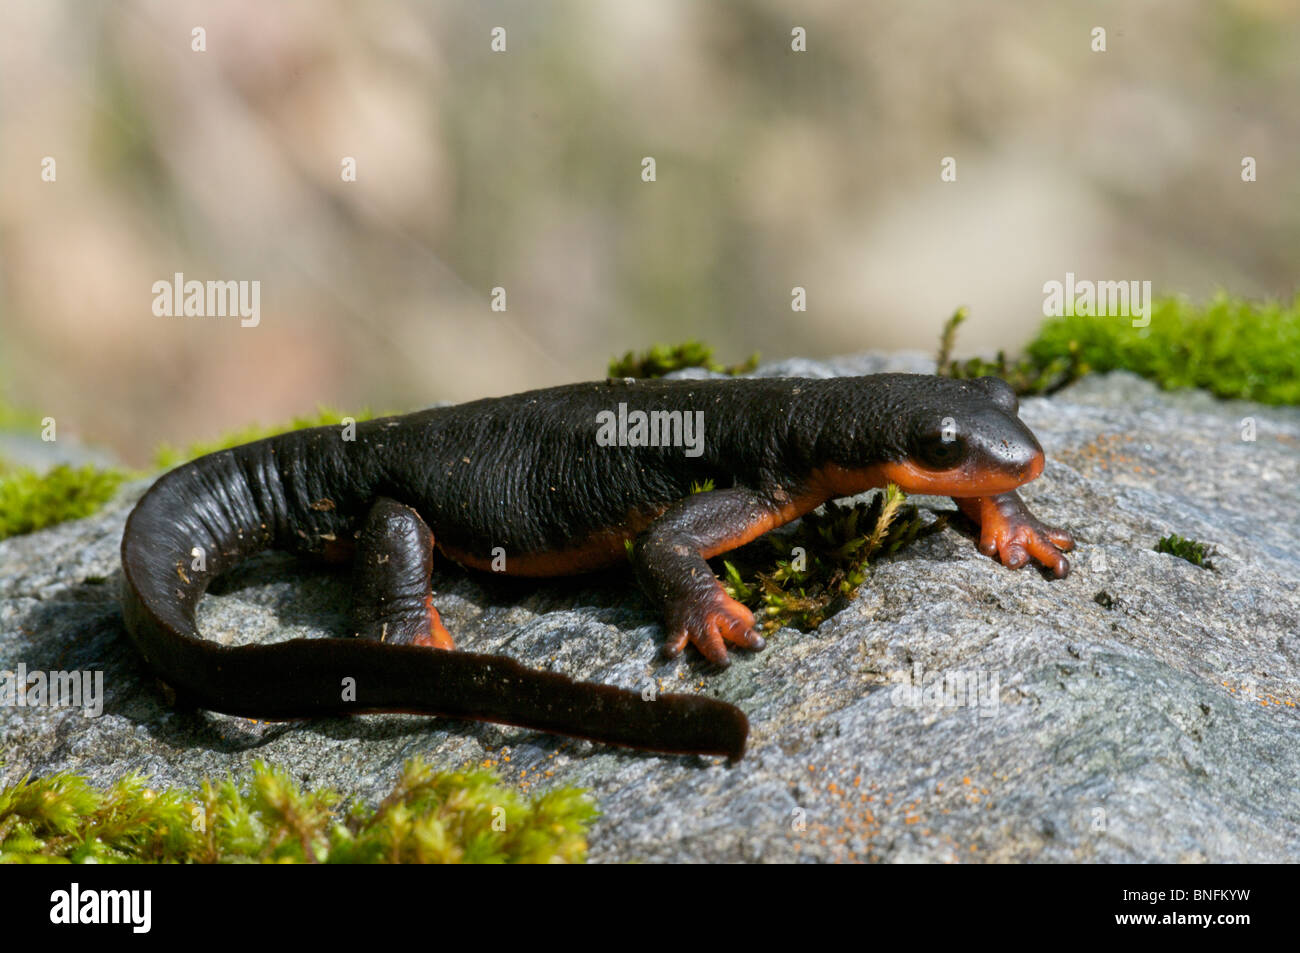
x: 1141, y: 711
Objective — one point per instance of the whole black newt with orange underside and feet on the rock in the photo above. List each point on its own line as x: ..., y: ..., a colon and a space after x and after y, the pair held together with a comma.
x: 545, y: 484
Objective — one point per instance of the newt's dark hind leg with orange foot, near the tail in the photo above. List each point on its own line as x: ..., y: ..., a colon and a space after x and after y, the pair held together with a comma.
x: 393, y: 601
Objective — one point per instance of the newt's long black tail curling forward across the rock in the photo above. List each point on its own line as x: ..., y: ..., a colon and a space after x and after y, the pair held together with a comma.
x: 224, y: 508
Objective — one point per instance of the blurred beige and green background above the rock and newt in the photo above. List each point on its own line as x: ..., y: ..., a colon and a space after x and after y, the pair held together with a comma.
x: 522, y: 170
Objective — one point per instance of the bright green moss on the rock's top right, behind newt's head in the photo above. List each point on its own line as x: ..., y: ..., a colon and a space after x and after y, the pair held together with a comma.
x: 1229, y: 346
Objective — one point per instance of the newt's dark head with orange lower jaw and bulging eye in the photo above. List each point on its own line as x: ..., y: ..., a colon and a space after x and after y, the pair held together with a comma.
x: 944, y: 437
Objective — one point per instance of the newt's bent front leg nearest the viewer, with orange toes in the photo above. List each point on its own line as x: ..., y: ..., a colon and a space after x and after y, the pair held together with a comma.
x: 670, y: 564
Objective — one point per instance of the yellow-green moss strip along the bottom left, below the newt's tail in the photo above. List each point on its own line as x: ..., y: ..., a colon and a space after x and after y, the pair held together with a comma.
x: 430, y: 818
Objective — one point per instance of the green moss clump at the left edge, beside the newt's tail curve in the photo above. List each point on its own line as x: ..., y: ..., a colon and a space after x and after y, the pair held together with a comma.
x: 32, y: 501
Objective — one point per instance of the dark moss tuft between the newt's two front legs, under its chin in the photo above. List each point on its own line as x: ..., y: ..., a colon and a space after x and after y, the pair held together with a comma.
x: 821, y: 566
